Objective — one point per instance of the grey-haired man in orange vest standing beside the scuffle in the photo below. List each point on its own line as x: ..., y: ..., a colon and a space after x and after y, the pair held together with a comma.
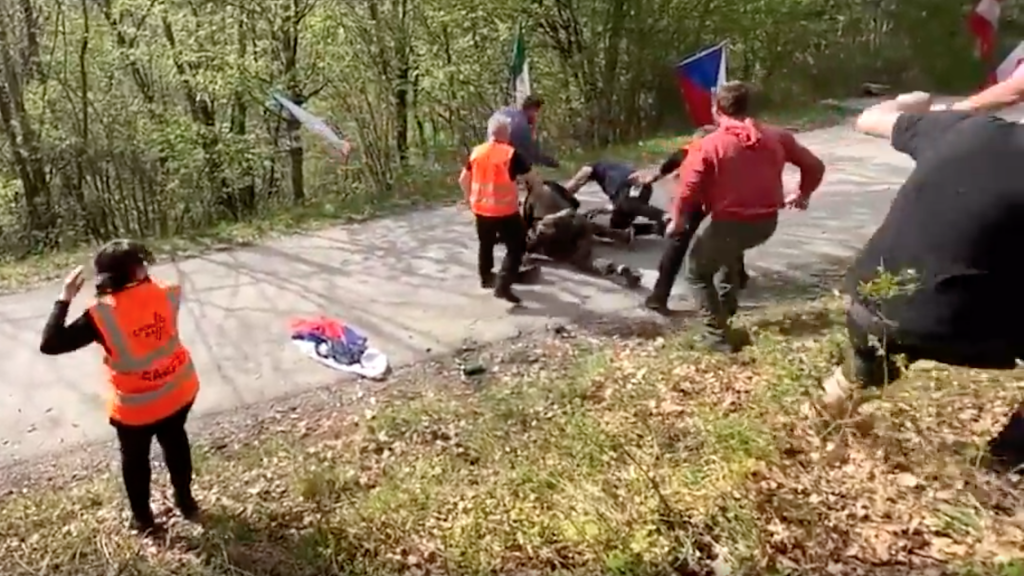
x: 489, y: 181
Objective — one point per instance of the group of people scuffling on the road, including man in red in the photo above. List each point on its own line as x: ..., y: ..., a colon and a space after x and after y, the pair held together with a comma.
x: 732, y: 173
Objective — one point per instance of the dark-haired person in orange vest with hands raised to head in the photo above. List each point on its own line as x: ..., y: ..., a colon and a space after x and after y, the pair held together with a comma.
x: 151, y: 375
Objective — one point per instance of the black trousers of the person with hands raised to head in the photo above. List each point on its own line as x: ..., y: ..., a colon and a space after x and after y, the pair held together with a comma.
x: 136, y: 444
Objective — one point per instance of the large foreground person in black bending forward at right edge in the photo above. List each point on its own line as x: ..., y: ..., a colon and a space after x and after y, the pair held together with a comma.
x: 952, y: 241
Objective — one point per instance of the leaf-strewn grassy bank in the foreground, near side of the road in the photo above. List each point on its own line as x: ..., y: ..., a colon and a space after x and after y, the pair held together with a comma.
x: 586, y: 454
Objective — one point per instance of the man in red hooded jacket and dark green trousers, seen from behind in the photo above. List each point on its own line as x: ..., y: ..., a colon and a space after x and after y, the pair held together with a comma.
x: 737, y: 176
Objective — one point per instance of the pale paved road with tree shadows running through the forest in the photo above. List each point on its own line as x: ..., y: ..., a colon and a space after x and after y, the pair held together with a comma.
x: 408, y: 282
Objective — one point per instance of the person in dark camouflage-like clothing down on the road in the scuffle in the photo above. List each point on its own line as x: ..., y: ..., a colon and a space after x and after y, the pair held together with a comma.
x: 569, y: 236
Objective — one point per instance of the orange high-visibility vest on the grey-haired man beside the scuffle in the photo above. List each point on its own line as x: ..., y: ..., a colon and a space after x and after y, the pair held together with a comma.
x: 493, y: 192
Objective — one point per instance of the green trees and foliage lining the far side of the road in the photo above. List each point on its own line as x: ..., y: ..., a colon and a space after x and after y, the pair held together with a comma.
x: 148, y: 117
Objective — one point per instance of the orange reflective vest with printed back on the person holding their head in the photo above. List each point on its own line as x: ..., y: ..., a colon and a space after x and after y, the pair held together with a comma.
x: 151, y: 374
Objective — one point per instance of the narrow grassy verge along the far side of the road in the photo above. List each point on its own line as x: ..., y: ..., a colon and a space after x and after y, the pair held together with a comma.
x: 431, y: 188
